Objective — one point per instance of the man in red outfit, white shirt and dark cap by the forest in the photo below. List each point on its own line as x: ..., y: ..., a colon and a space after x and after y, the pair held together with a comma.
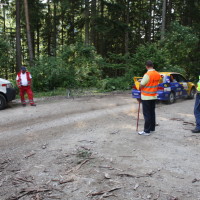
x: 24, y: 80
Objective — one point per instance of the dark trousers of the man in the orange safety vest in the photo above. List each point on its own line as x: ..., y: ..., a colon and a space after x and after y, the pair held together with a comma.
x: 148, y: 107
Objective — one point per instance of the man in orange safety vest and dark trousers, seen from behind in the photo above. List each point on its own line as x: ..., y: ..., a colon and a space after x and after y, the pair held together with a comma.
x: 148, y: 88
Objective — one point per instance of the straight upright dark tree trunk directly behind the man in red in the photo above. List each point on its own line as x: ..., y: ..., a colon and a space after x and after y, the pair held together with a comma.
x: 18, y: 38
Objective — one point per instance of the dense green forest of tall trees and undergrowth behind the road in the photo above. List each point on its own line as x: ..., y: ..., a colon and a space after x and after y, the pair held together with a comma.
x: 98, y: 43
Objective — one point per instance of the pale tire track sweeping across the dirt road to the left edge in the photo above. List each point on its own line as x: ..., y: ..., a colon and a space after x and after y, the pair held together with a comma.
x: 54, y: 123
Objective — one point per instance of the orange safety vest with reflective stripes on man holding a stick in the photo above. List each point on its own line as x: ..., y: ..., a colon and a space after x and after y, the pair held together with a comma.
x: 150, y: 89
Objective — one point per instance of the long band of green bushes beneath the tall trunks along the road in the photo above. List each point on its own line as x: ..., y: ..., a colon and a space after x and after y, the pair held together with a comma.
x: 79, y: 66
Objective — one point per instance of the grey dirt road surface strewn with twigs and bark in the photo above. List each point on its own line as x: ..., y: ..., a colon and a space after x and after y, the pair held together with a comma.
x: 87, y: 149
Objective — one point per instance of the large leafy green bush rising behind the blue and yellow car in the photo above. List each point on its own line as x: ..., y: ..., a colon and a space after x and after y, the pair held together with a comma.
x: 181, y: 47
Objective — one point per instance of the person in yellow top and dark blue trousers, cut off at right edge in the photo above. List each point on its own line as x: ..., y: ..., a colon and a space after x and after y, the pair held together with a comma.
x: 197, y: 109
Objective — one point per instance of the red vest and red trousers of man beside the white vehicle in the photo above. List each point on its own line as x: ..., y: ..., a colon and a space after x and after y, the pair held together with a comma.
x: 25, y: 89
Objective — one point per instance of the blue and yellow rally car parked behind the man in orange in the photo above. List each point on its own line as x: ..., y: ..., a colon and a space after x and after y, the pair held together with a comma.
x: 172, y: 86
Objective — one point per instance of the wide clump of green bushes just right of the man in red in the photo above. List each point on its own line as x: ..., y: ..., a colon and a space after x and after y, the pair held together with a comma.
x: 76, y: 66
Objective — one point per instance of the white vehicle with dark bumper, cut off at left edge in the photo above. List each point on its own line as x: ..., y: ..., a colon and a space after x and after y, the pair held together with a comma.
x: 7, y: 93
